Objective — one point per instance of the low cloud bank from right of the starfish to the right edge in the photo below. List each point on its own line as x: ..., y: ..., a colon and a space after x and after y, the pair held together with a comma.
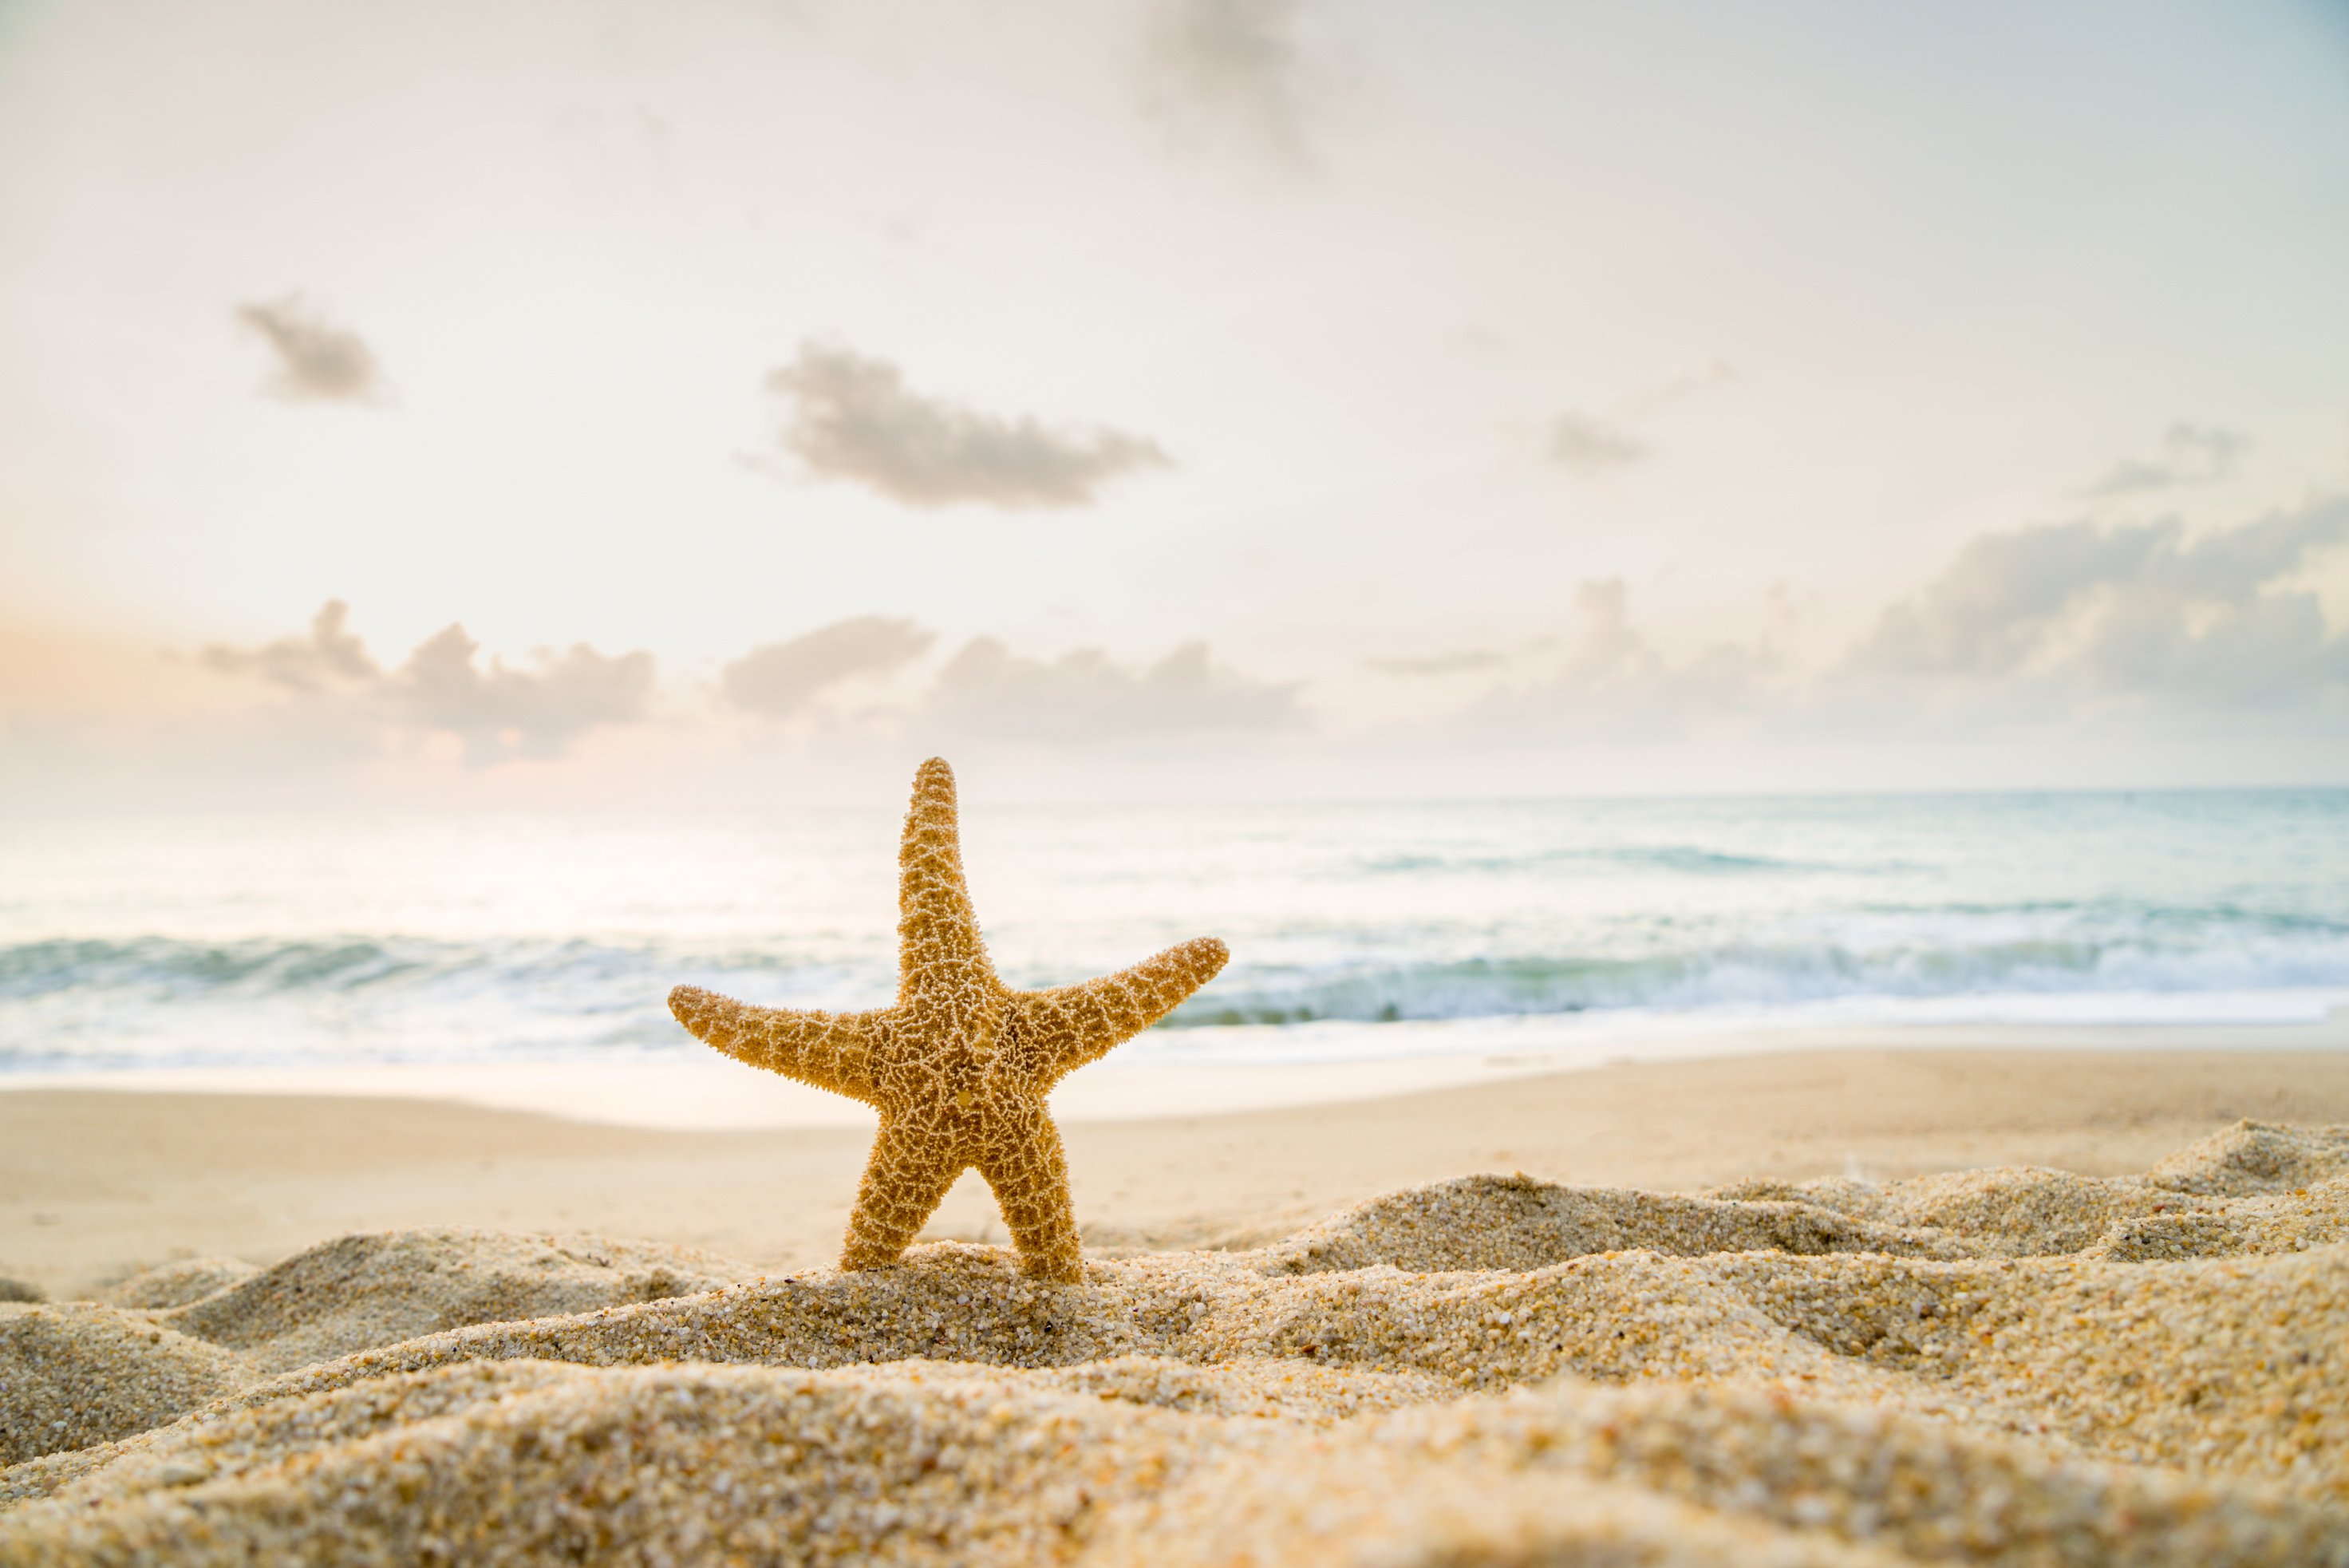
x: 2045, y: 624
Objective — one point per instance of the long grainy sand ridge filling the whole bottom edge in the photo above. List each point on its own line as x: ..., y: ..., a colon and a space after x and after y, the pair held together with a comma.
x: 924, y: 1463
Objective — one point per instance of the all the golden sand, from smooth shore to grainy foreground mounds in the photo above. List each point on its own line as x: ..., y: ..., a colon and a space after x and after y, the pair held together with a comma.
x: 1791, y: 1360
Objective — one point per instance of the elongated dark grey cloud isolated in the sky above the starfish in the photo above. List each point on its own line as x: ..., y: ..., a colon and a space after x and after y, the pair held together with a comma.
x: 856, y: 420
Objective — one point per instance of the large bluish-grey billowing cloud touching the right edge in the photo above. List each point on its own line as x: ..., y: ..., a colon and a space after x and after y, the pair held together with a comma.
x: 2134, y: 610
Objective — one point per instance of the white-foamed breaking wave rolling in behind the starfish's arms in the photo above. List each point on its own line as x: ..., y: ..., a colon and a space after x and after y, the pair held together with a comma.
x: 401, y: 998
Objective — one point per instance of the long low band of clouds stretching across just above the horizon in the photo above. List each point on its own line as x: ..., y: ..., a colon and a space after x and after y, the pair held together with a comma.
x: 2045, y: 631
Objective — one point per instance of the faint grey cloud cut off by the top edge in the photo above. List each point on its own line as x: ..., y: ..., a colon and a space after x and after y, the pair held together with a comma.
x: 1230, y: 74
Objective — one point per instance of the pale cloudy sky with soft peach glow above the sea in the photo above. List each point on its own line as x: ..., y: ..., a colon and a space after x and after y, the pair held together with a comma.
x: 734, y: 401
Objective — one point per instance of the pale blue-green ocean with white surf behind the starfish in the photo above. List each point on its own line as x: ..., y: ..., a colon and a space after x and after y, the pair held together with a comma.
x: 445, y: 939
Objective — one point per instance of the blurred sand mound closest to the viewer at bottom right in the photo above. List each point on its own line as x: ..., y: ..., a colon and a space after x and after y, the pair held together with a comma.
x: 1676, y: 1475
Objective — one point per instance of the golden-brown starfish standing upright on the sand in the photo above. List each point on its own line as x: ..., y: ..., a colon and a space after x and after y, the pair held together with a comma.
x: 962, y: 1064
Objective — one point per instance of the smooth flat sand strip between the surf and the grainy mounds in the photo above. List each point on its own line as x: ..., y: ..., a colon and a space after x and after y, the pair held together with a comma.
x: 100, y: 1184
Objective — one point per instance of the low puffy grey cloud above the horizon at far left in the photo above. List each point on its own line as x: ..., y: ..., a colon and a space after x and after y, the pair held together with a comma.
x: 532, y: 711
